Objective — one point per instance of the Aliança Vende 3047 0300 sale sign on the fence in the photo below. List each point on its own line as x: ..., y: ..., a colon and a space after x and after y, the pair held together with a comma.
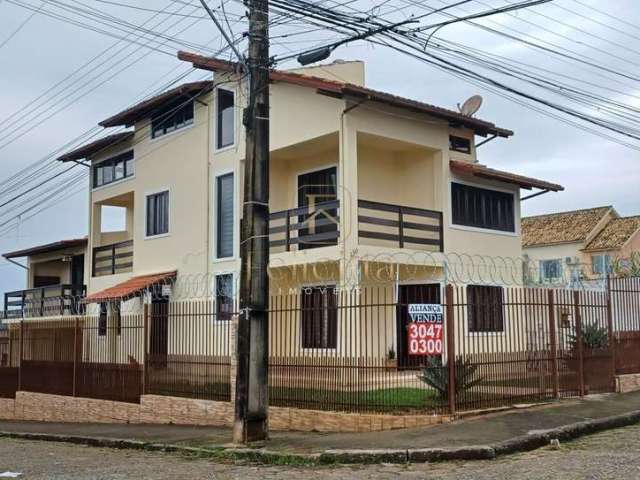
x: 425, y: 329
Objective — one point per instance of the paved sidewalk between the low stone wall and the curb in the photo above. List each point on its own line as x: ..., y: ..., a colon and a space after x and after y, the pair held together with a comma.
x: 492, y: 428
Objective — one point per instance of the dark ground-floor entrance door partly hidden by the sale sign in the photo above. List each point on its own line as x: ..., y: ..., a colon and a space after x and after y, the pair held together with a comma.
x: 408, y: 294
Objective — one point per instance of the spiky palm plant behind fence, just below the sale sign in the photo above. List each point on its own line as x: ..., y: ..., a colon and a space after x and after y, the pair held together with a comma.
x: 436, y: 375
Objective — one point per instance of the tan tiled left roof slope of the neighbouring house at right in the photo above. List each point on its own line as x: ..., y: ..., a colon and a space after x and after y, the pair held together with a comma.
x: 562, y: 227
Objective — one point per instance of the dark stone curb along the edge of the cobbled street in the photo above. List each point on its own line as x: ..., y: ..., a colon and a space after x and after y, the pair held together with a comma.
x: 521, y: 443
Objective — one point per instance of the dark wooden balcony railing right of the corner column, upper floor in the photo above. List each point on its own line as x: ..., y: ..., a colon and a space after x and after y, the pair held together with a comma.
x: 400, y: 226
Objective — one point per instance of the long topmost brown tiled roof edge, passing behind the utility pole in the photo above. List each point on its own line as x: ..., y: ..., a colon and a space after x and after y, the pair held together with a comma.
x: 481, y: 127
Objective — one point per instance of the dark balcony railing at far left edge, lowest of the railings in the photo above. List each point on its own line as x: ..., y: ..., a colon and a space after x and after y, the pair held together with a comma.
x: 49, y: 301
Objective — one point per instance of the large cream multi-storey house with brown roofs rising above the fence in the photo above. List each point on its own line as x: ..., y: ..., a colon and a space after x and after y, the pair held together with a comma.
x: 361, y: 182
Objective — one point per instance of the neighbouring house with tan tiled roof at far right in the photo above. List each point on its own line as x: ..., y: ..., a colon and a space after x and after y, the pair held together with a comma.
x: 578, y: 245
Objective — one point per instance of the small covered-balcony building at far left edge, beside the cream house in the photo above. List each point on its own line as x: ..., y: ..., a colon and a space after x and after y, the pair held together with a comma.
x: 55, y: 280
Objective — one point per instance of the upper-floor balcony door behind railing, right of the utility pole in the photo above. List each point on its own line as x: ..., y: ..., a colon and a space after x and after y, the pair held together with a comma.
x: 320, y: 224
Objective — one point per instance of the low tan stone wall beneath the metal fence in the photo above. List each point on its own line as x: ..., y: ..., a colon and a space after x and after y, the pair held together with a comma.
x: 186, y: 411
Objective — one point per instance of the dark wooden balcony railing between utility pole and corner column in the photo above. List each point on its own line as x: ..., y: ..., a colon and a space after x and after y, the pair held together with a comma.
x: 305, y: 227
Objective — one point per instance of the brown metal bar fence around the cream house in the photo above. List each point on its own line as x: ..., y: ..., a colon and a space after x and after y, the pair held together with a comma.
x: 415, y: 348
